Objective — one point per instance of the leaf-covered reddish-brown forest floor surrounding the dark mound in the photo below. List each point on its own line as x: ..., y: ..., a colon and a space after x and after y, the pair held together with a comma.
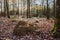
x: 7, y: 25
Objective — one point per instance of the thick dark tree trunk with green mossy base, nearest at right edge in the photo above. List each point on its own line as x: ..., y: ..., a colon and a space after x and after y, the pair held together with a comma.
x: 57, y: 24
